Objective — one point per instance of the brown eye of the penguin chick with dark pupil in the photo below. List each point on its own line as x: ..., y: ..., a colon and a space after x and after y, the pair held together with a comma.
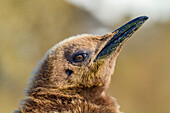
x: 79, y: 57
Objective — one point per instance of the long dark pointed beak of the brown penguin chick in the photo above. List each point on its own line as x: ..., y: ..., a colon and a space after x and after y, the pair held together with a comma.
x: 122, y: 34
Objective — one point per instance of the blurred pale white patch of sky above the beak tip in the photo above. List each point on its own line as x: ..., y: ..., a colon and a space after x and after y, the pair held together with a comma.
x: 111, y: 11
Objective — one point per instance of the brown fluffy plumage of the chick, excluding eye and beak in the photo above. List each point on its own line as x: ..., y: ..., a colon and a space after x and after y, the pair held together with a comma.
x: 51, y: 90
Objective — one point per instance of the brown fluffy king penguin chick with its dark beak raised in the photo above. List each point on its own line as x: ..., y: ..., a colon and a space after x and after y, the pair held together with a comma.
x: 74, y: 74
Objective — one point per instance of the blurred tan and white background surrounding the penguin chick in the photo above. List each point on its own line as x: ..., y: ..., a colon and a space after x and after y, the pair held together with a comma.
x: 28, y: 28
